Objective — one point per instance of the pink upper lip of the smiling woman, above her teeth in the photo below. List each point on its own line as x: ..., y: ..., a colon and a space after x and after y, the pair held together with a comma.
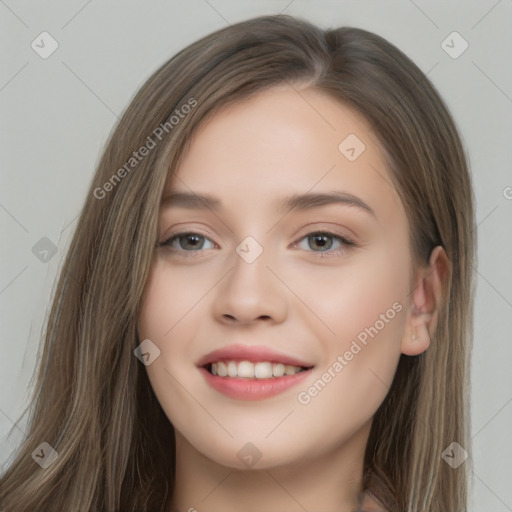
x: 253, y: 353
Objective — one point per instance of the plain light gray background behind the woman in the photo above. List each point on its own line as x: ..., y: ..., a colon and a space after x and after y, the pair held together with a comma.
x: 56, y: 114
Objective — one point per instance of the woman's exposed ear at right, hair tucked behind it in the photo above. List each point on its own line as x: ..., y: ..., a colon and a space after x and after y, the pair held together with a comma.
x: 426, y: 301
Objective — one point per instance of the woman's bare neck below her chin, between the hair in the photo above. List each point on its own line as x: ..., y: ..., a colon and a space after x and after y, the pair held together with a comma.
x: 331, y: 482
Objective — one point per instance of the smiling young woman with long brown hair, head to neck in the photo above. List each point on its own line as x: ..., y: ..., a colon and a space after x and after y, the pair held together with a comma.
x: 267, y: 303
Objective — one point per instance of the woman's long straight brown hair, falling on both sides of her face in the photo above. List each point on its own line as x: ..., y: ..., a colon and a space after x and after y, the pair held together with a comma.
x: 93, y: 402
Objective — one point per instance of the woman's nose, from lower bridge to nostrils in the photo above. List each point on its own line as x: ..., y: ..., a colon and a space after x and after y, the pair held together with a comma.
x: 251, y: 291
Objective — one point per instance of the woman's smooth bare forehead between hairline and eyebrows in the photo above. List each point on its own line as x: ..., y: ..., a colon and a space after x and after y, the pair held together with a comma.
x: 285, y: 141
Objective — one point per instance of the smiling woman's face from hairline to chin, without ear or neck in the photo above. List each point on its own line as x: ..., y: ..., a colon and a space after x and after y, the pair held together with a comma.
x: 324, y: 285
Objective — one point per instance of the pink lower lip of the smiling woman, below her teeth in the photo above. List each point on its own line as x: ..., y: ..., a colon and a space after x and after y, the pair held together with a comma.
x: 253, y: 389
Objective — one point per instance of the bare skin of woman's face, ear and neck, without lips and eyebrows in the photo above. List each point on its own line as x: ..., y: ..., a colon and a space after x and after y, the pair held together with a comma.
x: 201, y: 295
